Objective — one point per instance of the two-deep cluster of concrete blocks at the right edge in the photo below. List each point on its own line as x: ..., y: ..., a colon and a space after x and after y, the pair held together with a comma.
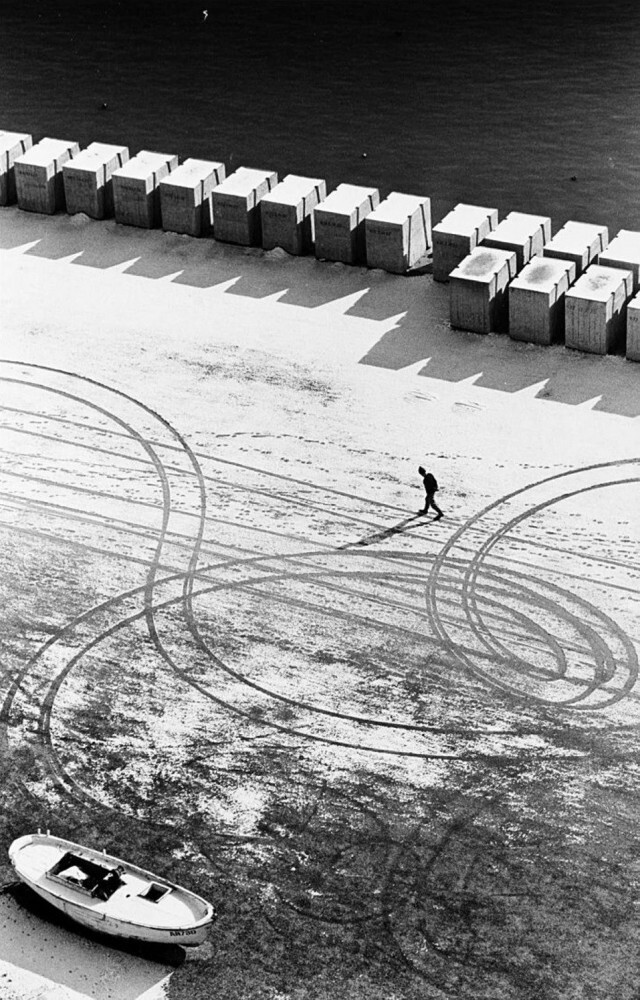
x: 575, y: 287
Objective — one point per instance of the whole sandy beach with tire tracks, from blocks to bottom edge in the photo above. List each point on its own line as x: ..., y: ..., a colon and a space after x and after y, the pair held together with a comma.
x: 399, y: 754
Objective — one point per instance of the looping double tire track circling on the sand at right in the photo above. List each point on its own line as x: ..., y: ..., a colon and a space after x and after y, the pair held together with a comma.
x: 612, y: 655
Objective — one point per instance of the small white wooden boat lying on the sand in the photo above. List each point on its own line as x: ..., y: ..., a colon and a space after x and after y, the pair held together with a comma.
x: 109, y: 895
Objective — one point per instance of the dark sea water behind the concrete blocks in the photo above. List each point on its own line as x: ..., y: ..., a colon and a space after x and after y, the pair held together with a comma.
x: 496, y: 103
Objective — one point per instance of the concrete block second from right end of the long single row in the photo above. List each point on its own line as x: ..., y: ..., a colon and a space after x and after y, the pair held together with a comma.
x: 339, y: 223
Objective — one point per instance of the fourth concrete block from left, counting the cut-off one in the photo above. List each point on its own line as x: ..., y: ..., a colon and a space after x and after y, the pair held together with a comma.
x: 136, y: 199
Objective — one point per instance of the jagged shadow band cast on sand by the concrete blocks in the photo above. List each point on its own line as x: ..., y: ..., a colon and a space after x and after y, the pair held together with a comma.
x: 418, y: 305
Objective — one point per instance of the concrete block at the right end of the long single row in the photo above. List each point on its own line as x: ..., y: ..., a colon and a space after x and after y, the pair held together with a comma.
x: 398, y: 232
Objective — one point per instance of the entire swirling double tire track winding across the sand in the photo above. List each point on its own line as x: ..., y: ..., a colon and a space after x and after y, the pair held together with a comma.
x: 445, y: 575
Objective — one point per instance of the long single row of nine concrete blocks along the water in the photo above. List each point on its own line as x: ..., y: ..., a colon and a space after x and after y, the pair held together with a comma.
x: 249, y: 207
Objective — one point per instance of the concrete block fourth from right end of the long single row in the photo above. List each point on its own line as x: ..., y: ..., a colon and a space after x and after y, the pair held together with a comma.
x: 236, y: 206
